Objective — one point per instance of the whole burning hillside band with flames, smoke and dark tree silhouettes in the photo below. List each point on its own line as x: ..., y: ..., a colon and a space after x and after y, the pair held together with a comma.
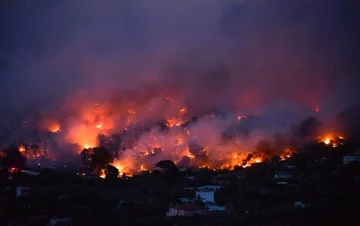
x: 134, y: 138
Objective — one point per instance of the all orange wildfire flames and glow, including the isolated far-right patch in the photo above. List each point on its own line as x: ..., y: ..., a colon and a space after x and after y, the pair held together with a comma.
x: 128, y: 132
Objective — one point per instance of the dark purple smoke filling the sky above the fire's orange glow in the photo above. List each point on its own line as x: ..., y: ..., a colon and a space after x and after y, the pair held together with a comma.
x: 242, y: 54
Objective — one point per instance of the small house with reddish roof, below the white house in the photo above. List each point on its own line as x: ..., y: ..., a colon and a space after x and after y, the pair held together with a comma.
x: 185, y: 210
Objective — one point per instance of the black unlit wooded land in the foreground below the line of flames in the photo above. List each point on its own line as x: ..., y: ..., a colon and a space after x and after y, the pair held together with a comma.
x: 319, y: 190
